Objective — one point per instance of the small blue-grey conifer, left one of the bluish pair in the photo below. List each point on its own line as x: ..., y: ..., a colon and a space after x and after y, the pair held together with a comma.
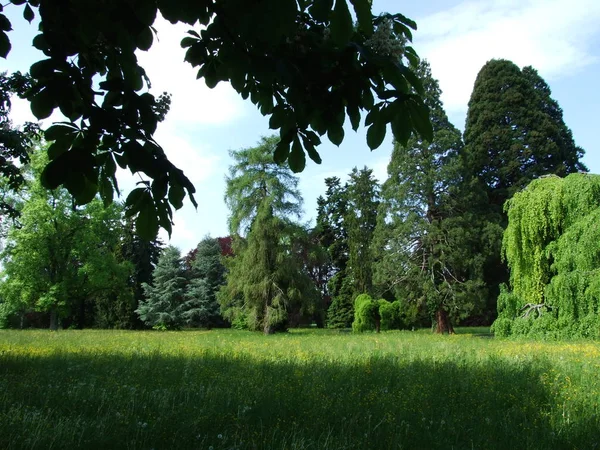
x: 164, y: 306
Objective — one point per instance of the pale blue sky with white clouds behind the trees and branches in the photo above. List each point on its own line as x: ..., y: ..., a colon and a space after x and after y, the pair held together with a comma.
x: 560, y: 38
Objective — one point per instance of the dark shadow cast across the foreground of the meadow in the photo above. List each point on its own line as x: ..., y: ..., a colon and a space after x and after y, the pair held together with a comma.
x: 214, y: 401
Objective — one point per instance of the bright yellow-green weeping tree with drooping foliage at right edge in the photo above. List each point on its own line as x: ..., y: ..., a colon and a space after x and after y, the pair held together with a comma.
x: 551, y: 247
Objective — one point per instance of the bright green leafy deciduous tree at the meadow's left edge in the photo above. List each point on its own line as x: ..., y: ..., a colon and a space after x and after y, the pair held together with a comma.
x: 61, y: 259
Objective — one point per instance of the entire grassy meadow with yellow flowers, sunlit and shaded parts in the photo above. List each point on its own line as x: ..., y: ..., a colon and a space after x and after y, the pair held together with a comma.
x: 307, y: 389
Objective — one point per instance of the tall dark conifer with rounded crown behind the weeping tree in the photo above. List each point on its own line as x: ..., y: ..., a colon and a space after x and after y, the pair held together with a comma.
x: 514, y: 133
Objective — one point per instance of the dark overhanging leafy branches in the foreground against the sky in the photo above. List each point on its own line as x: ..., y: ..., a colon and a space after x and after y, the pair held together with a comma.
x: 303, y: 63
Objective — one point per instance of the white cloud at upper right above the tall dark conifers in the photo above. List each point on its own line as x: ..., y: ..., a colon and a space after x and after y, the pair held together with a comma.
x: 550, y: 35
